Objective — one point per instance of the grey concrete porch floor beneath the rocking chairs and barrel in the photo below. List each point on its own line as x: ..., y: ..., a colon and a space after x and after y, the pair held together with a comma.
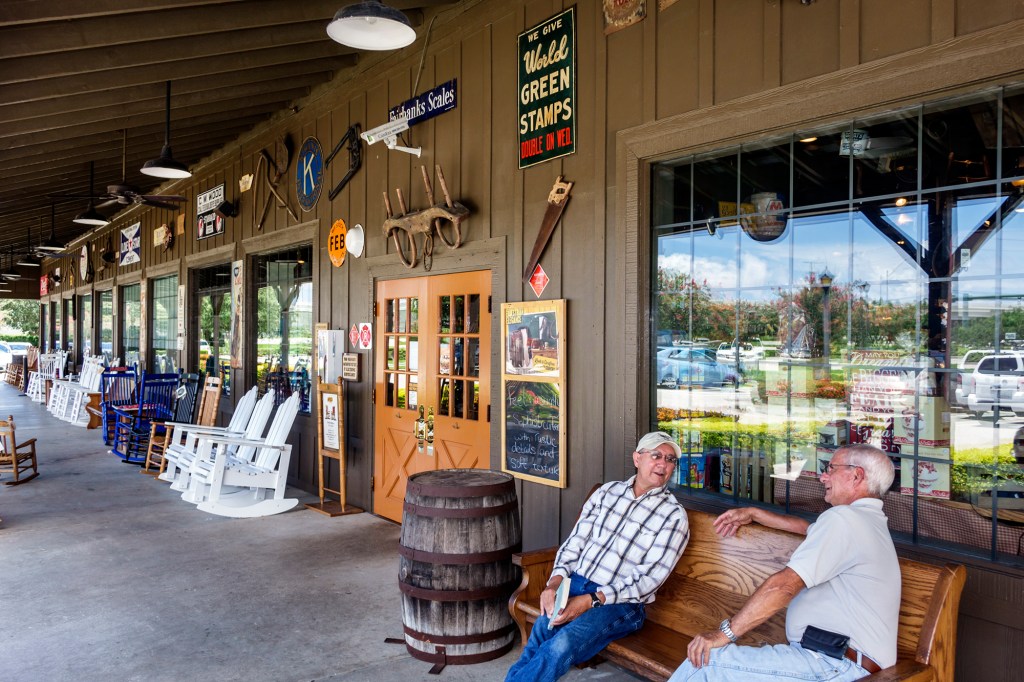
x: 107, y: 575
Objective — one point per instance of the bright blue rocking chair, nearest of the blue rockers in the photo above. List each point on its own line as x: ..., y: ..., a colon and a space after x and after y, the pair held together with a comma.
x: 155, y: 402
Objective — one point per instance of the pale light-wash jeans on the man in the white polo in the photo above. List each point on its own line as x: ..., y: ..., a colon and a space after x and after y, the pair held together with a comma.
x: 782, y: 662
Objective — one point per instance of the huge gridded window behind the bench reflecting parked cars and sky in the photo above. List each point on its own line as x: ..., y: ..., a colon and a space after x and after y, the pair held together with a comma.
x: 862, y: 283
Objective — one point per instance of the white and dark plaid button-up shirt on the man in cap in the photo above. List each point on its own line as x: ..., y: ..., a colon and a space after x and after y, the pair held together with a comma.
x: 627, y: 545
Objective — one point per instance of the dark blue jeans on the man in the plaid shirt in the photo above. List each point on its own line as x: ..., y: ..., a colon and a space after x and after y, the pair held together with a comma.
x: 550, y: 653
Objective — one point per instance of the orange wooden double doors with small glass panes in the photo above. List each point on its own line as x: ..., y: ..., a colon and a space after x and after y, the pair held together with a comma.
x: 433, y: 380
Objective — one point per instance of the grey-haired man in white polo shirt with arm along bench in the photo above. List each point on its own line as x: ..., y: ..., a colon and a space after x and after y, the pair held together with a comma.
x: 842, y: 587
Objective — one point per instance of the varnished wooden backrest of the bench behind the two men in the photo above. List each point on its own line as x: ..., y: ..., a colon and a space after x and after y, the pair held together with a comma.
x: 716, y: 576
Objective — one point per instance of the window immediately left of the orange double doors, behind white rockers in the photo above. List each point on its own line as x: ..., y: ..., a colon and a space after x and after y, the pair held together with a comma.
x: 284, y: 285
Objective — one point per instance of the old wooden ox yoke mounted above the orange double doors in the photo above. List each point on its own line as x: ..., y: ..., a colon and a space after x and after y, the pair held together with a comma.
x: 403, y: 229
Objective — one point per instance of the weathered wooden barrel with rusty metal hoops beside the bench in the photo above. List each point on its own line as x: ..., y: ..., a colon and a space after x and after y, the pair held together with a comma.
x: 459, y: 531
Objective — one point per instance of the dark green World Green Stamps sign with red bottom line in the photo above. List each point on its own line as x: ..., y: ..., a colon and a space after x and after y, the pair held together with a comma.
x: 547, y: 91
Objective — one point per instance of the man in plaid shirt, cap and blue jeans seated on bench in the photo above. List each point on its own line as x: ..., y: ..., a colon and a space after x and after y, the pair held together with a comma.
x: 625, y: 545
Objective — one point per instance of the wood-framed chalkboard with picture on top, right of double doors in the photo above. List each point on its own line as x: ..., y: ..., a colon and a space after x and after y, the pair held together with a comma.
x: 533, y: 383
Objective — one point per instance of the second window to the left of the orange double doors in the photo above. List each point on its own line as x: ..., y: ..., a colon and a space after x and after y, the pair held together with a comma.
x: 212, y: 317
